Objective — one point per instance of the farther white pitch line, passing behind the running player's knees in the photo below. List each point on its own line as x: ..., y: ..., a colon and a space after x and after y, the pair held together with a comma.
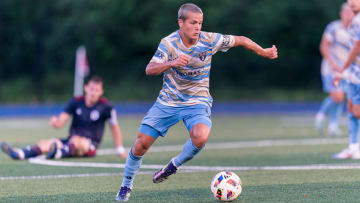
x: 244, y: 144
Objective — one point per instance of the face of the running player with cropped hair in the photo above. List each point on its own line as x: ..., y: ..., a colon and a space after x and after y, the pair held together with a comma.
x: 191, y: 27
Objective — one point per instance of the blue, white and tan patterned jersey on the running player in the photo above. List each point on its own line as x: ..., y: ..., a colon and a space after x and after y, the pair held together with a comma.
x: 189, y: 85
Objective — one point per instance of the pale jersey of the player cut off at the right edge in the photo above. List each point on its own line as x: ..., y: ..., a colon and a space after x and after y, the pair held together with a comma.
x: 354, y: 31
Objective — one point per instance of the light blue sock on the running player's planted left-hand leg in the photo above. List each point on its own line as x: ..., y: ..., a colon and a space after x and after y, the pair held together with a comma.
x: 132, y: 165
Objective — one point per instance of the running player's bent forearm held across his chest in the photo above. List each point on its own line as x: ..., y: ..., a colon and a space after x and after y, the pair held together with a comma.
x: 154, y: 68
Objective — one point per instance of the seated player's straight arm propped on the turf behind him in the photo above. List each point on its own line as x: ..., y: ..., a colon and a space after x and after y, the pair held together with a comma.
x: 116, y: 134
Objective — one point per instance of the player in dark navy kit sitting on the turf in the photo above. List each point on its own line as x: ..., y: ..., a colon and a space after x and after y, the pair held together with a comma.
x: 89, y: 114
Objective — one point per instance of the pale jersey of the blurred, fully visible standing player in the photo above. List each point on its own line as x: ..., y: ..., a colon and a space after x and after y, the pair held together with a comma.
x: 339, y: 36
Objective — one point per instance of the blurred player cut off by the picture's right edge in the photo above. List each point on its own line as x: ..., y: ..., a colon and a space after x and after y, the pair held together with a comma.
x: 353, y: 89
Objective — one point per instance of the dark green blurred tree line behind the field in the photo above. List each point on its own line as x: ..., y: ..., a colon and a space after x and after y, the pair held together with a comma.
x: 38, y: 40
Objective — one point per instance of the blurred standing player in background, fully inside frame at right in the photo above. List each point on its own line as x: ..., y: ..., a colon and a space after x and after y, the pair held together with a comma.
x: 334, y: 48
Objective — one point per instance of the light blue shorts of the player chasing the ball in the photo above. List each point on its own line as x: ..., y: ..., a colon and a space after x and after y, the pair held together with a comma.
x: 160, y: 118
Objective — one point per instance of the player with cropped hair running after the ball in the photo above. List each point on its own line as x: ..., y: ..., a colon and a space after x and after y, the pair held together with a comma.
x: 184, y: 59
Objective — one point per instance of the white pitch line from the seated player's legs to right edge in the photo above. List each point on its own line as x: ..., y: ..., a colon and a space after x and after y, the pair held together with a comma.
x: 42, y: 161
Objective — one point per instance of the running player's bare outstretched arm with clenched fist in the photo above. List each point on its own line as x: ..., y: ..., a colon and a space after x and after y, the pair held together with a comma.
x: 270, y: 53
